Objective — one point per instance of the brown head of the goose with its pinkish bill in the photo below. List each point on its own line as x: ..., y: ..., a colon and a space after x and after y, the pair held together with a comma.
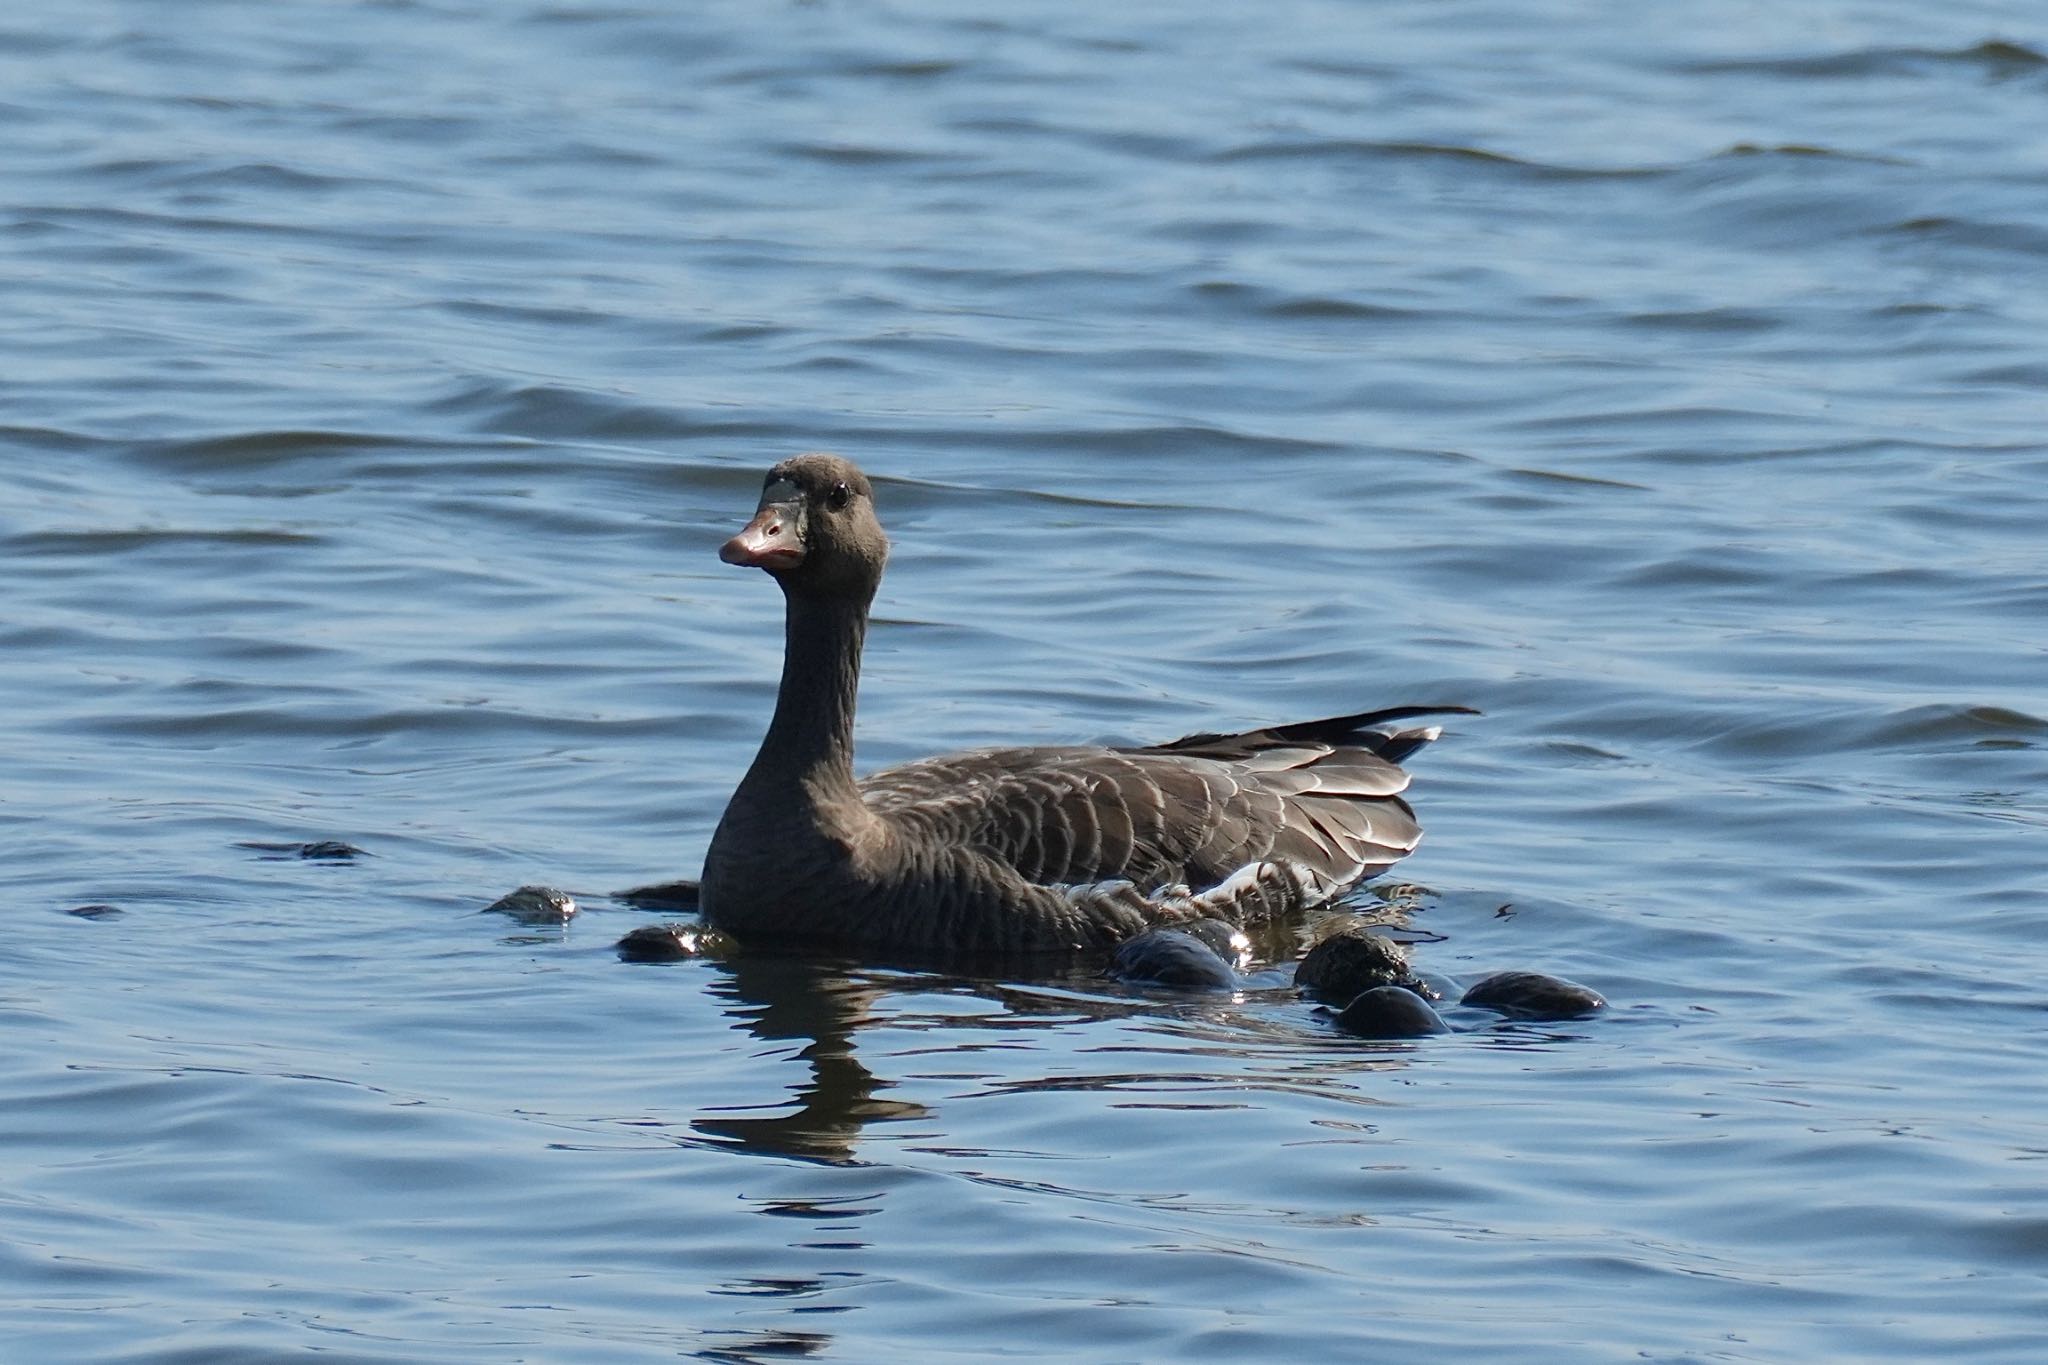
x: 814, y: 531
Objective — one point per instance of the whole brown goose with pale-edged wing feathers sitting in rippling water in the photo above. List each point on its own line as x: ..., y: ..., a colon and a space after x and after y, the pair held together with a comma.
x: 1017, y: 850
